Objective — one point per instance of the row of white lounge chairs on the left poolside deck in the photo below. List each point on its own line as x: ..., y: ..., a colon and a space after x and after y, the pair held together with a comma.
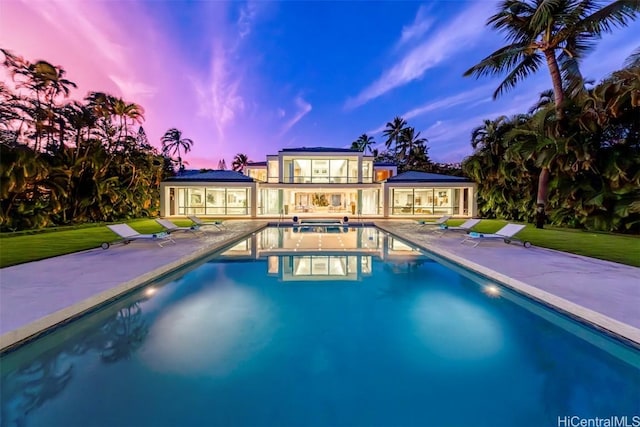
x: 128, y: 234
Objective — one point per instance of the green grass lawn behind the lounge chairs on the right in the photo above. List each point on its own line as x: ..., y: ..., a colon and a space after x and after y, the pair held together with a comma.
x: 611, y: 247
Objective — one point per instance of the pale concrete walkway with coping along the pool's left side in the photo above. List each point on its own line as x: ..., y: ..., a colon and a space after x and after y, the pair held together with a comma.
x: 37, y: 295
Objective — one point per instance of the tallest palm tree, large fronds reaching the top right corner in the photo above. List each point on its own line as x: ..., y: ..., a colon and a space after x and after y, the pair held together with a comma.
x: 559, y: 33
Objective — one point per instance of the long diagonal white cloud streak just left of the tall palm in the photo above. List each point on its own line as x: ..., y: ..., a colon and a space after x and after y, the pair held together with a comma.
x: 459, y: 34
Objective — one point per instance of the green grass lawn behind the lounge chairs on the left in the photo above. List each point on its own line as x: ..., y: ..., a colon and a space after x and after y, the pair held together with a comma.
x: 17, y: 248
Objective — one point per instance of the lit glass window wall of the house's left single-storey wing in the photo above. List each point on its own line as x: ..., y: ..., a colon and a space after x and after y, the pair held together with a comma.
x: 213, y: 201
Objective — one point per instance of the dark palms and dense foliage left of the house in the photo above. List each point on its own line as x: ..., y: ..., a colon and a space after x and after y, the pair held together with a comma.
x: 66, y: 162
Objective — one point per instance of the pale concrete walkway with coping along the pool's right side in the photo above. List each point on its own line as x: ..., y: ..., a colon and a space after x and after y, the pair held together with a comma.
x: 602, y: 292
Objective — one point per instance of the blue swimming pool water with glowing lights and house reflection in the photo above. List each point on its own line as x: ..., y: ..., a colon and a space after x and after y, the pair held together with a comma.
x: 324, y: 328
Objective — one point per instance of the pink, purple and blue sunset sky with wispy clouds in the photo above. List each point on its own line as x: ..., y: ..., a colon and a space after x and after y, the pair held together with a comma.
x: 254, y: 77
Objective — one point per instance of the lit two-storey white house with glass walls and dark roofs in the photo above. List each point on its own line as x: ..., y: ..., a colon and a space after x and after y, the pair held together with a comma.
x: 317, y: 182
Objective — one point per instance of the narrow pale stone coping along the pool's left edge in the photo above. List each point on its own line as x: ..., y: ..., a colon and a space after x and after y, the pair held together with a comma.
x: 17, y: 337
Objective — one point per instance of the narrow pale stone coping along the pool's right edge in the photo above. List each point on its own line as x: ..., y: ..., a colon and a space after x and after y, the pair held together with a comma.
x: 613, y: 327
